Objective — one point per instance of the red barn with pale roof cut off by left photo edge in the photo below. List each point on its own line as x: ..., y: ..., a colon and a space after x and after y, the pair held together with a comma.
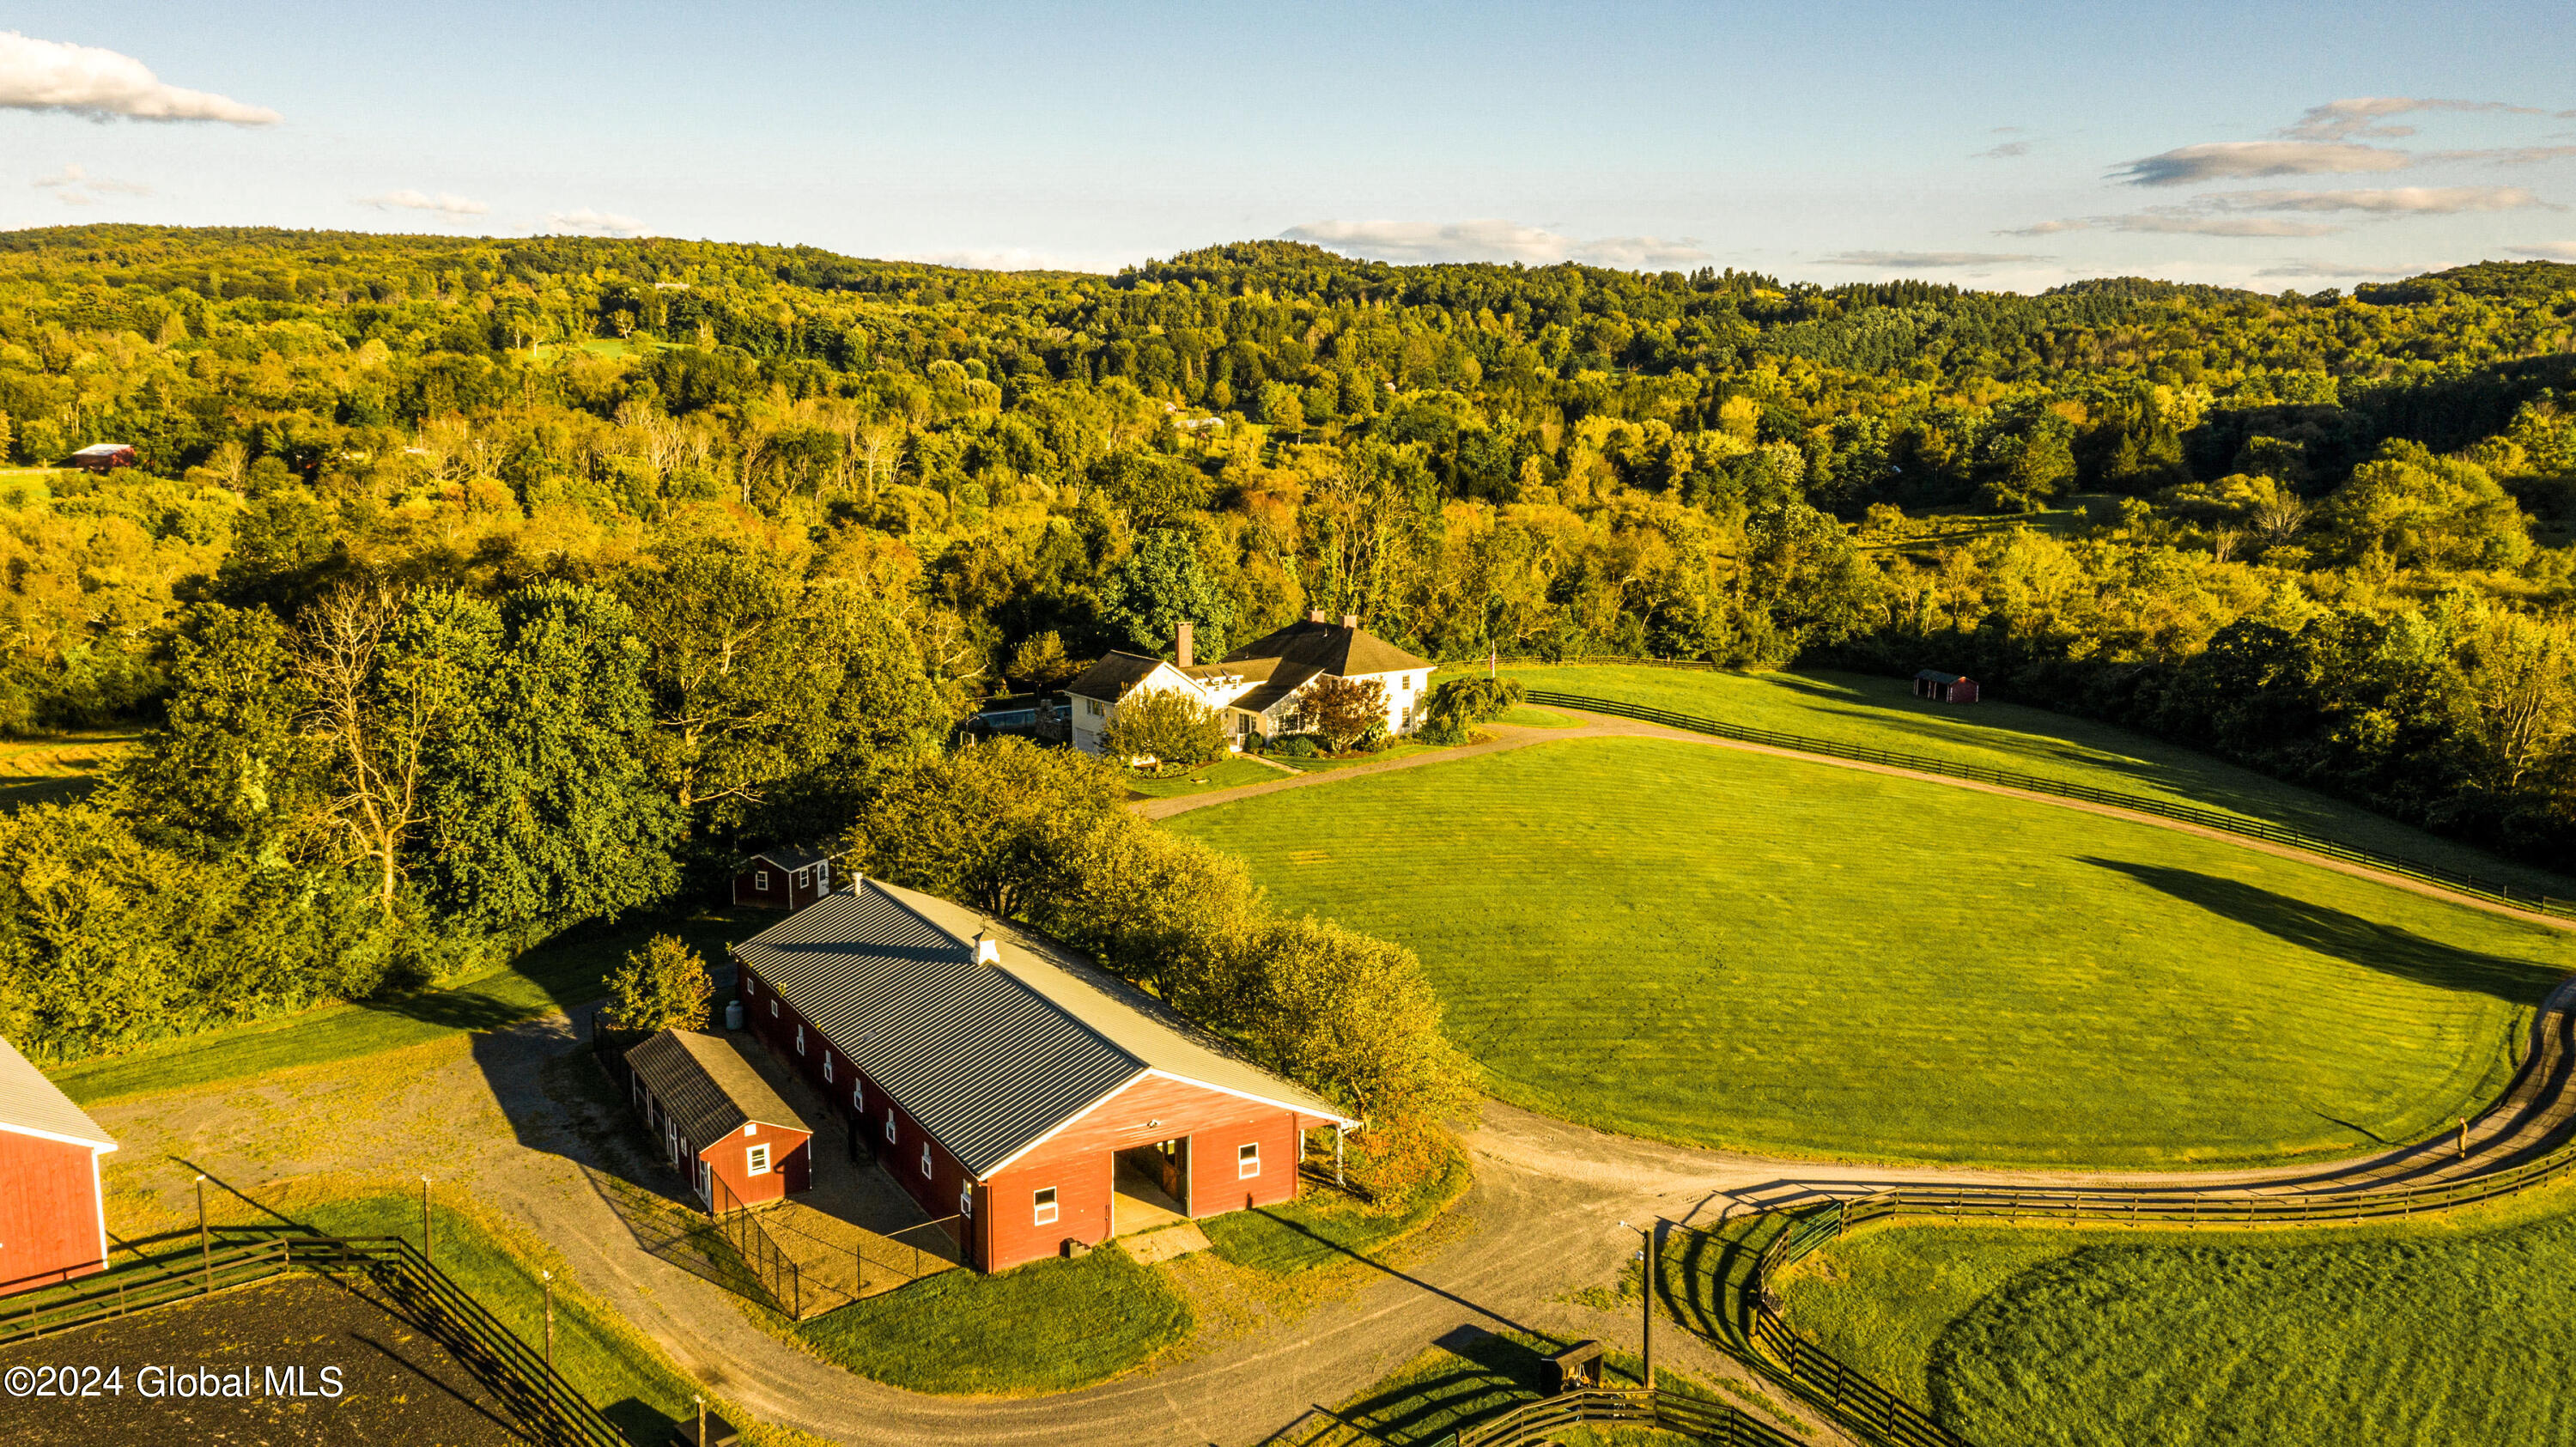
x: 53, y: 1214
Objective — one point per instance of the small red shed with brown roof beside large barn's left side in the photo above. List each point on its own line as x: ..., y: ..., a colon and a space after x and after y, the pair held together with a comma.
x: 710, y: 1106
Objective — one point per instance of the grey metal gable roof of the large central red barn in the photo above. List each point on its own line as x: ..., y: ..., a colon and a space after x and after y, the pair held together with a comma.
x: 988, y: 1060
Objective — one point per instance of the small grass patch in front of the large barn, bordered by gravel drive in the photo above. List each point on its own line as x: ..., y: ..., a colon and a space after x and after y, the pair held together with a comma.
x: 1047, y: 1327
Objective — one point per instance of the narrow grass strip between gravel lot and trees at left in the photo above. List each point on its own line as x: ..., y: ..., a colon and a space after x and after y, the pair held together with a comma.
x: 553, y: 977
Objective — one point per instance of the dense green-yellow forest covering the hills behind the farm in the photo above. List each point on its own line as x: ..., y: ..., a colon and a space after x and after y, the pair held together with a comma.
x: 488, y: 586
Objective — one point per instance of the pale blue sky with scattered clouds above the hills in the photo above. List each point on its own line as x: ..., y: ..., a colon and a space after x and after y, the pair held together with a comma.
x: 1993, y: 145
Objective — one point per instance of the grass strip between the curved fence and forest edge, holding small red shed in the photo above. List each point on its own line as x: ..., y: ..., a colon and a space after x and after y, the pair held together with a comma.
x: 1884, y: 714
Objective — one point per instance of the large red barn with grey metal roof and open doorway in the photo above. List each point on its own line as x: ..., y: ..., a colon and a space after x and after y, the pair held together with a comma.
x: 1011, y: 1083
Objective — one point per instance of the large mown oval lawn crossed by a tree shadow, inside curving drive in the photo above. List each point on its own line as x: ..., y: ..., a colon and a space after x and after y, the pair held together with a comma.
x: 1748, y: 951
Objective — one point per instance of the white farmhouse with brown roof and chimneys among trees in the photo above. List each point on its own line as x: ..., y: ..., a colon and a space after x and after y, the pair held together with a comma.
x: 1256, y: 689
